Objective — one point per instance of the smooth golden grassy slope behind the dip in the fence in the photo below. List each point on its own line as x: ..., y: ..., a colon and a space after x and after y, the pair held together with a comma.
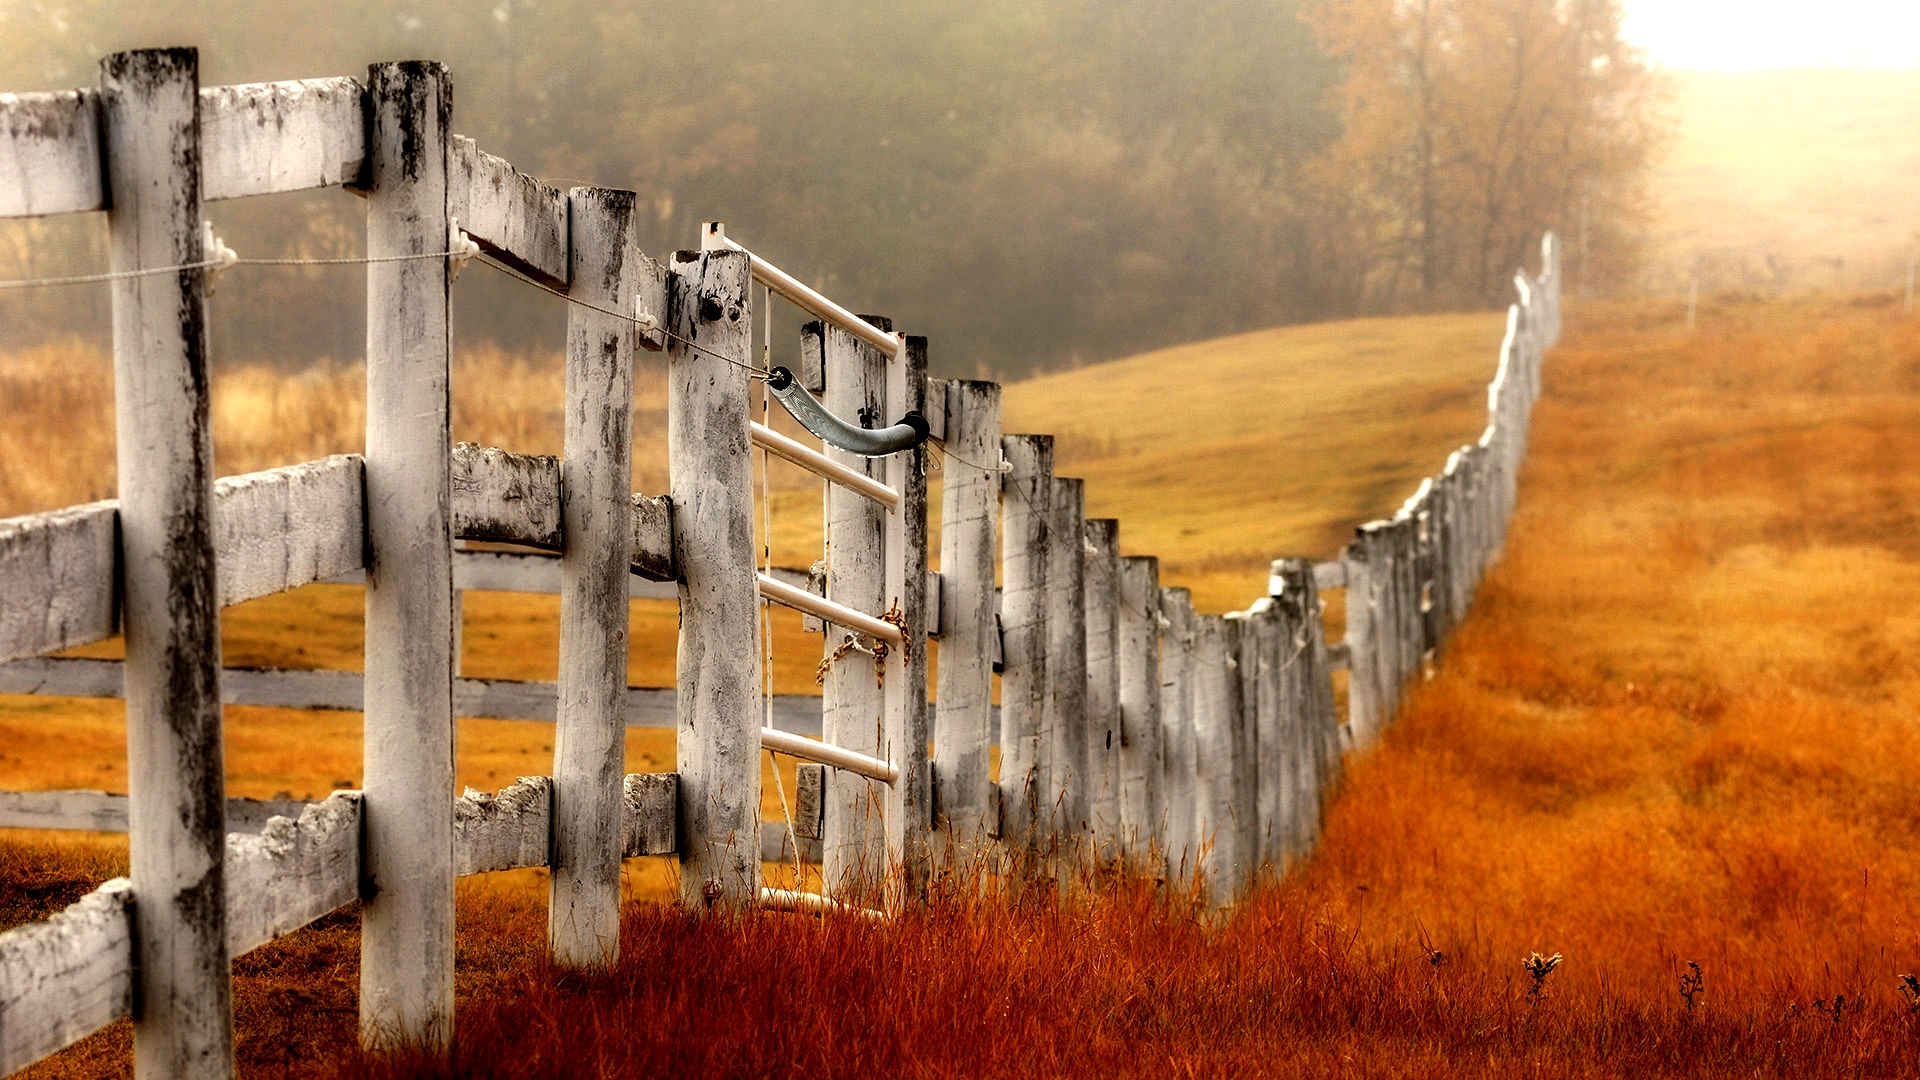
x: 1222, y: 456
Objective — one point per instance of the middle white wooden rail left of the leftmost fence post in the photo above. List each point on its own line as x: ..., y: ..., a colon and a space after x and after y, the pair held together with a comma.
x: 57, y: 579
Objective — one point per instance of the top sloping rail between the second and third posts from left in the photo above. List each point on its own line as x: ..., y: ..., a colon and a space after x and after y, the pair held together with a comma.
x: 516, y: 218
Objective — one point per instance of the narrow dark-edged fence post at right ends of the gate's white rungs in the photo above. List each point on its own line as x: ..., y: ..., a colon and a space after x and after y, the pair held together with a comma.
x: 909, y: 800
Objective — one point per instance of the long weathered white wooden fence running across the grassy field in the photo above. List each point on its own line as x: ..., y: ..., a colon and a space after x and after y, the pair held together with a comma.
x: 1130, y: 725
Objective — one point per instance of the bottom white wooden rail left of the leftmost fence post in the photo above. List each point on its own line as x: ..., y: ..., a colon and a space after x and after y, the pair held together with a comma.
x: 68, y: 977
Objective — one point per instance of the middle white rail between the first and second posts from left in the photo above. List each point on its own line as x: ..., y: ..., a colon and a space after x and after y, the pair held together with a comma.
x: 289, y: 528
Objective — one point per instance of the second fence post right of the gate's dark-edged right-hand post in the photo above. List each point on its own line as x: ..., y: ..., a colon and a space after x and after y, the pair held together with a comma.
x: 1026, y: 508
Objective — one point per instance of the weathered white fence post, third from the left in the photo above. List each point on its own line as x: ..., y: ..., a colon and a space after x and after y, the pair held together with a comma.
x: 598, y: 533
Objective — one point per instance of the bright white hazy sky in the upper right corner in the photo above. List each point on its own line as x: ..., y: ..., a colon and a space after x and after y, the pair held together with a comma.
x: 1742, y: 36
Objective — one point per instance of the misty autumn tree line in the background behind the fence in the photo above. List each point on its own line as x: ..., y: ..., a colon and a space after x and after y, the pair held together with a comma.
x: 1032, y: 184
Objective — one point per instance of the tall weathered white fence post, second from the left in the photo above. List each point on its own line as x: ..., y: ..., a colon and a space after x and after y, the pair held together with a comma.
x: 408, y: 920
